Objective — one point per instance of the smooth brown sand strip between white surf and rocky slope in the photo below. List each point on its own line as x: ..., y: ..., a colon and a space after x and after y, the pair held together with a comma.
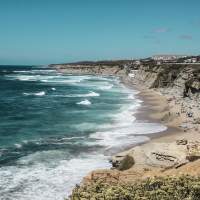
x: 152, y: 102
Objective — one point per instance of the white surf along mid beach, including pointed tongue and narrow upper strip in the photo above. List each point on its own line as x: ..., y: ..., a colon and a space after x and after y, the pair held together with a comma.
x: 124, y: 130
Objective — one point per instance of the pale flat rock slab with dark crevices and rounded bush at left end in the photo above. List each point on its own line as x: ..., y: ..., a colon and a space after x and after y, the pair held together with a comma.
x: 161, y: 155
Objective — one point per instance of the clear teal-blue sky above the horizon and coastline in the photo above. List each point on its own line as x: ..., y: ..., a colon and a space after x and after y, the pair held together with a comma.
x: 53, y: 31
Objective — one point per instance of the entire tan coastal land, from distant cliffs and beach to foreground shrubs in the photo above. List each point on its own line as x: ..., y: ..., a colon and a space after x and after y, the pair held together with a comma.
x: 171, y: 96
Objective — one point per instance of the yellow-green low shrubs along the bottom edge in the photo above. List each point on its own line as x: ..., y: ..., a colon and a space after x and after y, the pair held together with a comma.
x: 168, y: 188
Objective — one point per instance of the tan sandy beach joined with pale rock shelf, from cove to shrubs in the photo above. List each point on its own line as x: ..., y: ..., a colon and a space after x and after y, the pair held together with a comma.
x: 162, y: 155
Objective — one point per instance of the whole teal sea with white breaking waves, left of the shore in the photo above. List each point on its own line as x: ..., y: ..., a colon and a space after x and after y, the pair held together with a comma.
x: 55, y: 128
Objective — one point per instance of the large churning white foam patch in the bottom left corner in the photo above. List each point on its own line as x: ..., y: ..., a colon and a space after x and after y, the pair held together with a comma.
x: 46, y: 175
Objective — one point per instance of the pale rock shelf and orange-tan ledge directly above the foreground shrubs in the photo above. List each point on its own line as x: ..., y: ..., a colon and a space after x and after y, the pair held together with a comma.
x: 156, y: 159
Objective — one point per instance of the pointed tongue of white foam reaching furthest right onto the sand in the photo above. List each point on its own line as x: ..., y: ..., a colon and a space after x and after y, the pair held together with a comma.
x: 122, y: 136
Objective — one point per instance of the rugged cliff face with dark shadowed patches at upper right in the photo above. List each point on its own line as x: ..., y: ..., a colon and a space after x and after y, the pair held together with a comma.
x: 183, y: 79
